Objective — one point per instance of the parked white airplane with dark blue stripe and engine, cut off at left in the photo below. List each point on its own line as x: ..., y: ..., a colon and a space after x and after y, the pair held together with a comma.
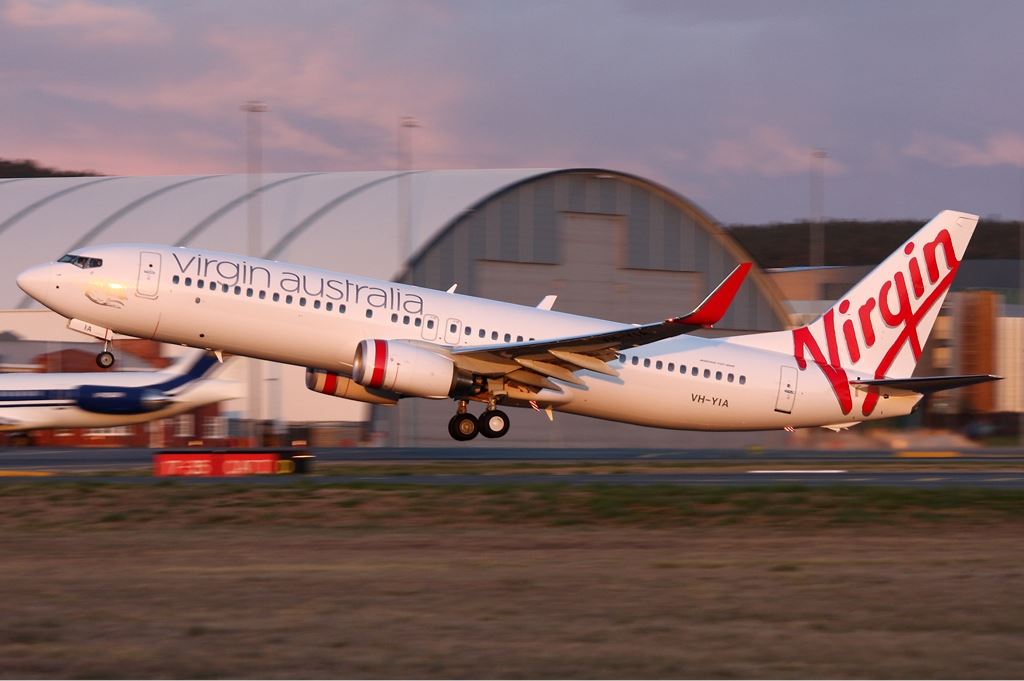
x: 32, y: 402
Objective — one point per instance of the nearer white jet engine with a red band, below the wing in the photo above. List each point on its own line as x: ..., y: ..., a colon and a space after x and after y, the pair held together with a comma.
x: 408, y: 370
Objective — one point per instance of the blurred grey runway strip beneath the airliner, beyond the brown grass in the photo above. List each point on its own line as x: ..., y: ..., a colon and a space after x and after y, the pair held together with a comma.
x: 1002, y: 469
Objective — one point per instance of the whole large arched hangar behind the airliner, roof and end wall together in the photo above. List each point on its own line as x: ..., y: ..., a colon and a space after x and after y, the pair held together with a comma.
x: 608, y: 244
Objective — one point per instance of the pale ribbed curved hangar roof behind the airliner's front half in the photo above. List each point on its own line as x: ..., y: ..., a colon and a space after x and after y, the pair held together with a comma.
x: 344, y: 221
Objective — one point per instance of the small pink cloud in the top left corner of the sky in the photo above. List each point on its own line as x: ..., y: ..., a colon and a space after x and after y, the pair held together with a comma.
x: 92, y: 22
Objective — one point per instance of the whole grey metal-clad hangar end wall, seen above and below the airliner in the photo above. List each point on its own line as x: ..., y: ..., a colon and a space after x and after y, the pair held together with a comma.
x: 609, y: 245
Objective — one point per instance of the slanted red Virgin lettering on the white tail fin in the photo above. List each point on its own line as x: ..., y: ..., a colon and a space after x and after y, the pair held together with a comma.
x: 888, y: 319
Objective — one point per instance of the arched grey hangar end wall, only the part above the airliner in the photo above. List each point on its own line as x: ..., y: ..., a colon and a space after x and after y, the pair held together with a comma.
x: 610, y: 244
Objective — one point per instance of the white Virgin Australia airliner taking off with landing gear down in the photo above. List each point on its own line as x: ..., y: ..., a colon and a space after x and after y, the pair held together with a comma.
x: 380, y: 342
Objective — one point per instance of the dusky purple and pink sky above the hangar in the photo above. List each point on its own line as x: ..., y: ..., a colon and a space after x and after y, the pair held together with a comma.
x: 918, y: 105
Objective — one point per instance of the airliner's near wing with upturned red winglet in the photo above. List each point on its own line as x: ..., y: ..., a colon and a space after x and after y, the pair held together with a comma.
x: 533, y: 363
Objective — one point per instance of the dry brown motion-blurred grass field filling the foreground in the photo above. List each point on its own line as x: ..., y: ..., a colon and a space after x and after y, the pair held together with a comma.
x: 544, y: 581
